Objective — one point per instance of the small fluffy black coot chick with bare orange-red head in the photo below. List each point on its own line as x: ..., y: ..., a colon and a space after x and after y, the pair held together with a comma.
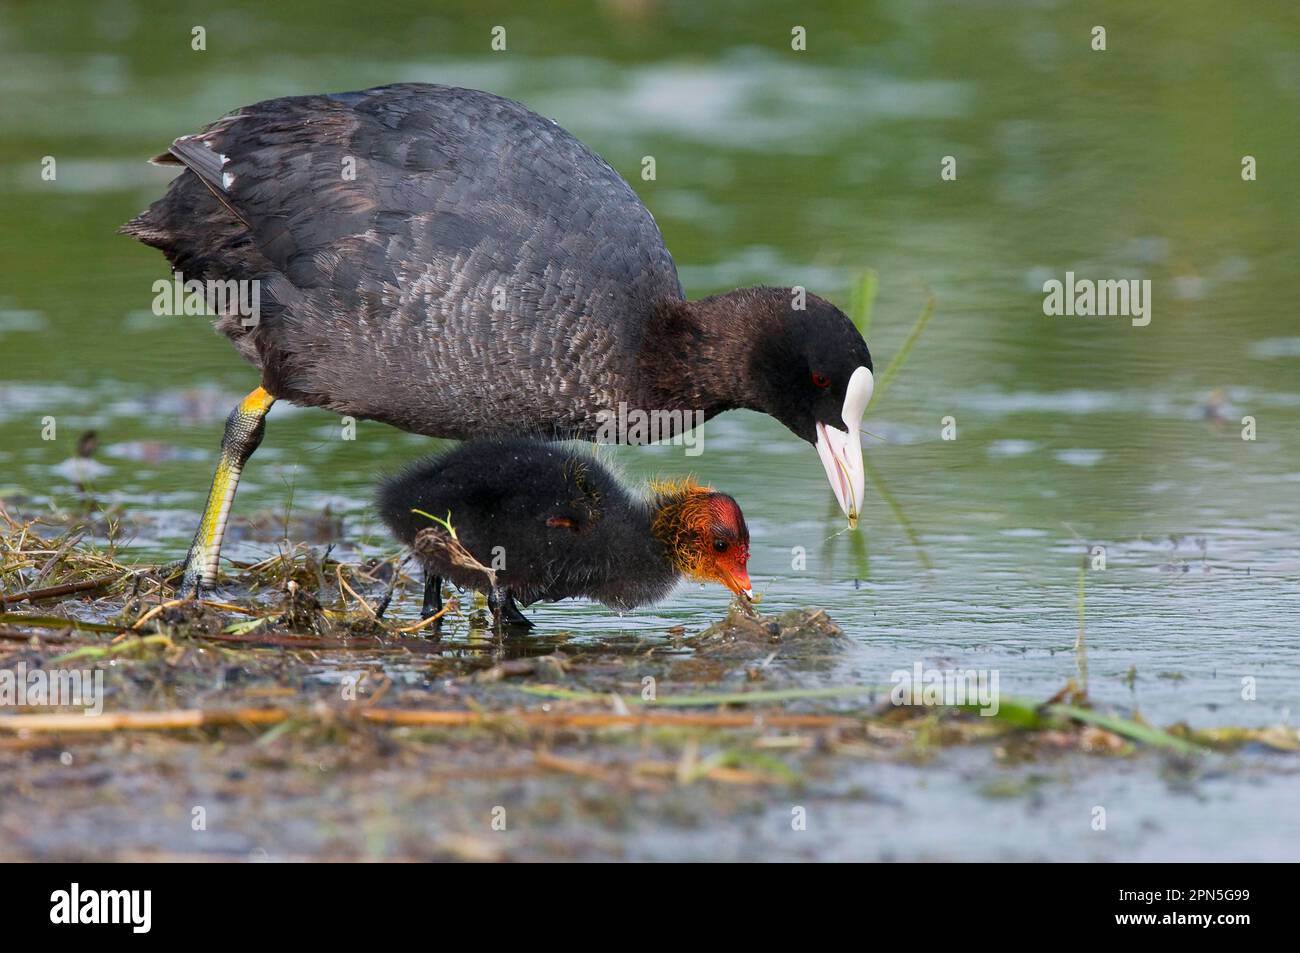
x: 548, y: 522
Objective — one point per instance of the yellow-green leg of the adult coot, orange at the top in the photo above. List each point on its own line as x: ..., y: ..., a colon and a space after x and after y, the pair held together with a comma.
x: 245, y: 427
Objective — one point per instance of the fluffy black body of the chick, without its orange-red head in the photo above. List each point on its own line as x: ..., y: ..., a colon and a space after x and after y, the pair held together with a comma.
x: 551, y: 521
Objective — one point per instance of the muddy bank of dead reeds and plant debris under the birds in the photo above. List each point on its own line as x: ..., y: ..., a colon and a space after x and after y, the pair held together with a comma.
x: 293, y: 668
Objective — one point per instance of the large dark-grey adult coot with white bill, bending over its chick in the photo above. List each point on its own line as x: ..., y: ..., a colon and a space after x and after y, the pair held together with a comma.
x: 448, y: 262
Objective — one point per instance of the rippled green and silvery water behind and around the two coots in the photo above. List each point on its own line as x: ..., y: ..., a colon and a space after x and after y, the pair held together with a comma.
x: 781, y: 167
